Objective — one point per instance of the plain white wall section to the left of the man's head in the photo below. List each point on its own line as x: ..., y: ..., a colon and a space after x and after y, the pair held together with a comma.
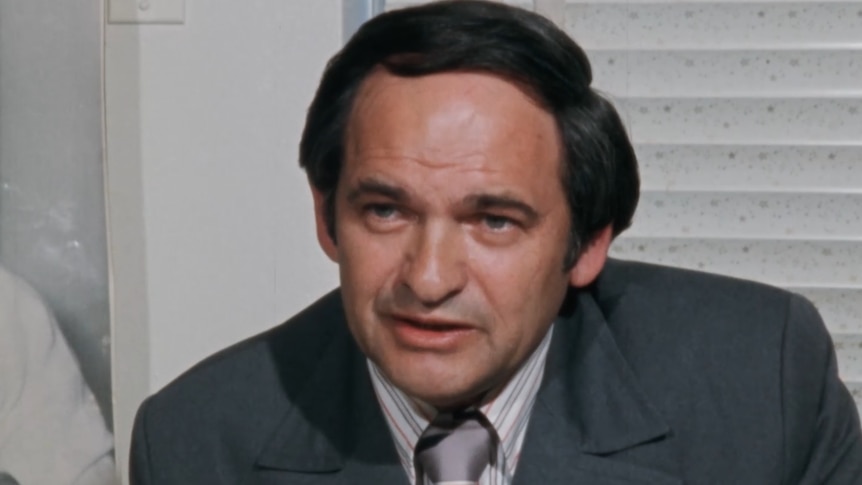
x: 230, y: 234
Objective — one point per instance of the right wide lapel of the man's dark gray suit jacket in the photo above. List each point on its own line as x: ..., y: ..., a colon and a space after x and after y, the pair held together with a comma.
x: 592, y: 423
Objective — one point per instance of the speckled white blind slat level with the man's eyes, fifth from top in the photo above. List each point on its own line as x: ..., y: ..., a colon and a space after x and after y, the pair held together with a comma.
x: 749, y: 214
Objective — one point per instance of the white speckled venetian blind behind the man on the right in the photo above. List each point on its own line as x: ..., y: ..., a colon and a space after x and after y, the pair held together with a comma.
x: 747, y: 120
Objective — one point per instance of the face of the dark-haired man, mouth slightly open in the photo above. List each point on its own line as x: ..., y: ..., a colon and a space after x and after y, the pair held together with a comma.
x: 451, y: 229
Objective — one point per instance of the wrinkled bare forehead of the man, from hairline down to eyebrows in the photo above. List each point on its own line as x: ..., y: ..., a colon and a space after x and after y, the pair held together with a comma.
x: 455, y: 134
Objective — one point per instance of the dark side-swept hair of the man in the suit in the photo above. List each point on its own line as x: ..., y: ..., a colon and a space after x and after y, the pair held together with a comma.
x: 599, y: 167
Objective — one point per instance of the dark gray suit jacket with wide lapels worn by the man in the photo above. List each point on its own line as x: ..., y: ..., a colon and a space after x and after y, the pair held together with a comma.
x: 656, y: 376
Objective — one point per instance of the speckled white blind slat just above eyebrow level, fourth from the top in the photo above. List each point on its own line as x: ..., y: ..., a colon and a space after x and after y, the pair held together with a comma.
x: 764, y: 167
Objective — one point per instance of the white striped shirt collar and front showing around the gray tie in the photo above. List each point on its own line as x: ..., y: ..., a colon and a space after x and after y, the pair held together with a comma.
x: 508, y: 413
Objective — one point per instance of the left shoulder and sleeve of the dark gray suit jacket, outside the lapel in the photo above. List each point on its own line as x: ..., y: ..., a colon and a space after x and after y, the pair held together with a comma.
x: 225, y: 408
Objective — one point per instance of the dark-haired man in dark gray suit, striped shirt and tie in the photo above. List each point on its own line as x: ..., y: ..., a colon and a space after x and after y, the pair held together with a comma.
x: 468, y: 183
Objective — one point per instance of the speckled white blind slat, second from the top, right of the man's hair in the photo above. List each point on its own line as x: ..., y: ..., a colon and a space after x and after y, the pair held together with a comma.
x: 728, y: 72
